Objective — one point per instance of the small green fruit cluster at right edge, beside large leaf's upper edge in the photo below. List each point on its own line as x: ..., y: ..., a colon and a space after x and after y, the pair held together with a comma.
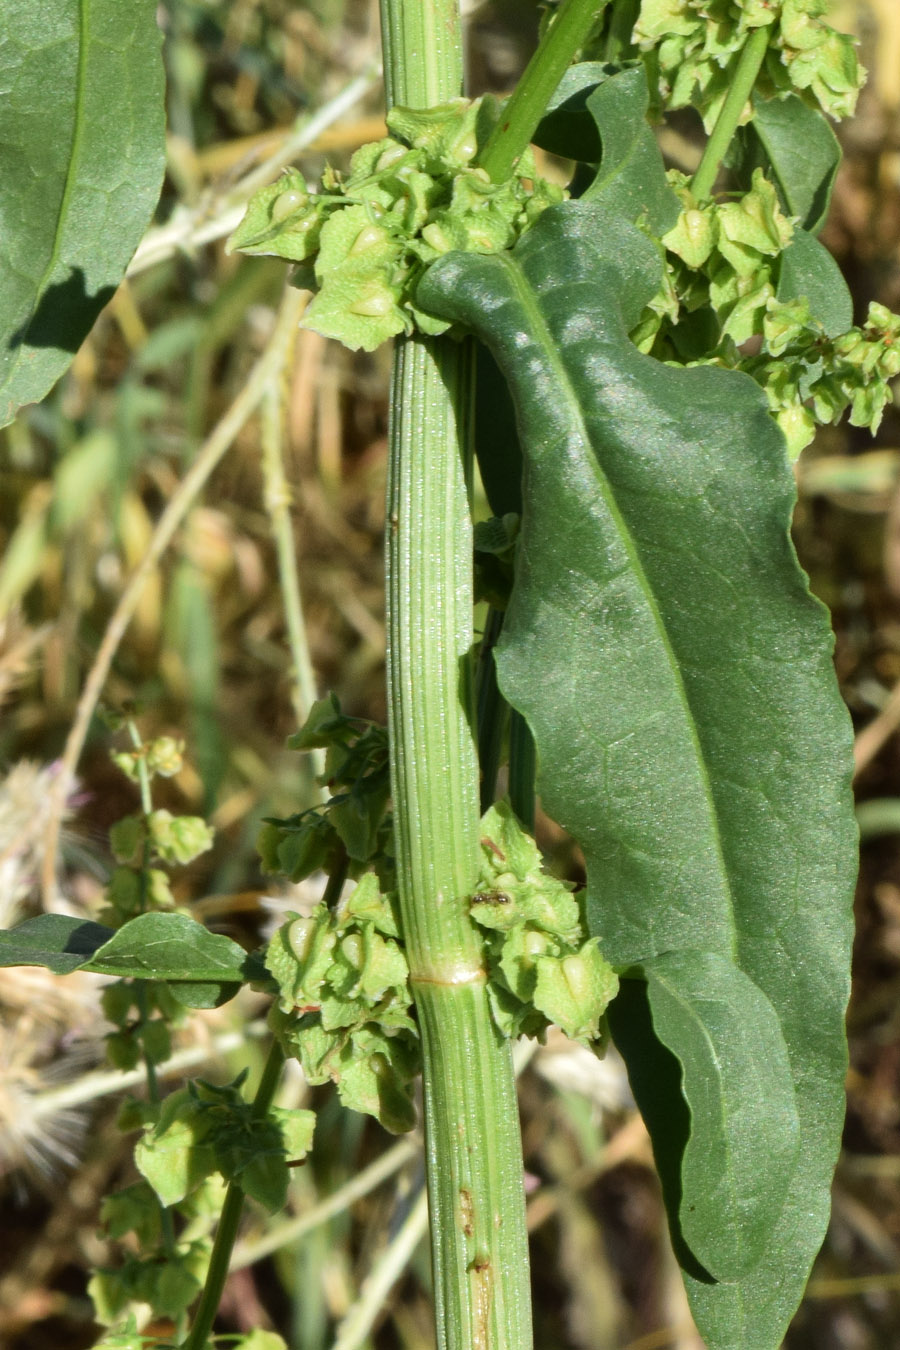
x: 812, y: 380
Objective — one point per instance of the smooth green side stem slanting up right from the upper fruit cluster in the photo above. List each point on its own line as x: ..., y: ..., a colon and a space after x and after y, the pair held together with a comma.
x: 536, y: 88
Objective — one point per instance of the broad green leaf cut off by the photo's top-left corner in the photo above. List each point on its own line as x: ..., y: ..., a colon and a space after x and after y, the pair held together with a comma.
x: 82, y: 146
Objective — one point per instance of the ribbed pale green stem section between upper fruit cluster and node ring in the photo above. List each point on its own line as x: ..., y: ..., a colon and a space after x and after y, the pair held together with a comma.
x: 434, y: 761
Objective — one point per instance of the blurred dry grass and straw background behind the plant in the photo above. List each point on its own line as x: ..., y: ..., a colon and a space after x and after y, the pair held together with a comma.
x: 86, y: 484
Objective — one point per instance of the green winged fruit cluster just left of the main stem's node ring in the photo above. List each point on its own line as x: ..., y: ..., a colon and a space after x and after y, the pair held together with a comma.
x: 345, y: 1004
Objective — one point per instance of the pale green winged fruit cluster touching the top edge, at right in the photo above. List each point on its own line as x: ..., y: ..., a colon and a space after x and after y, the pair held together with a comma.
x: 693, y: 47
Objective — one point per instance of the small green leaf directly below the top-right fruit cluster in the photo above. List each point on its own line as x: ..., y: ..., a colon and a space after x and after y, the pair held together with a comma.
x: 799, y: 152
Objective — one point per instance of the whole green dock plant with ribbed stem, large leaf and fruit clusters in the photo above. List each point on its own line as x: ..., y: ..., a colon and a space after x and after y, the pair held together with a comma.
x: 634, y: 361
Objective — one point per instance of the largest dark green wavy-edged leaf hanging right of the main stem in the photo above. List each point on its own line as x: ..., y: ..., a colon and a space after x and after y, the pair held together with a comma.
x: 677, y: 674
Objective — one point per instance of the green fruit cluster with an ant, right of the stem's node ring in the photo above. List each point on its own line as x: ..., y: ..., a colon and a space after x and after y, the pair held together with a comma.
x: 542, y: 969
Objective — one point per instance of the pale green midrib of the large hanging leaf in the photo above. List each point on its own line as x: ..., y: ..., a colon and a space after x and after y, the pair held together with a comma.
x: 540, y: 334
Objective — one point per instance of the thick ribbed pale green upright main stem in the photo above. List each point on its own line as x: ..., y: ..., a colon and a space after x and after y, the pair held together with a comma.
x: 474, y: 1159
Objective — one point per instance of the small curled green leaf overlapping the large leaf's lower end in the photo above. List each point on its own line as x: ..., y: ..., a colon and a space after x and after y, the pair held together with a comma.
x: 737, y: 1159
